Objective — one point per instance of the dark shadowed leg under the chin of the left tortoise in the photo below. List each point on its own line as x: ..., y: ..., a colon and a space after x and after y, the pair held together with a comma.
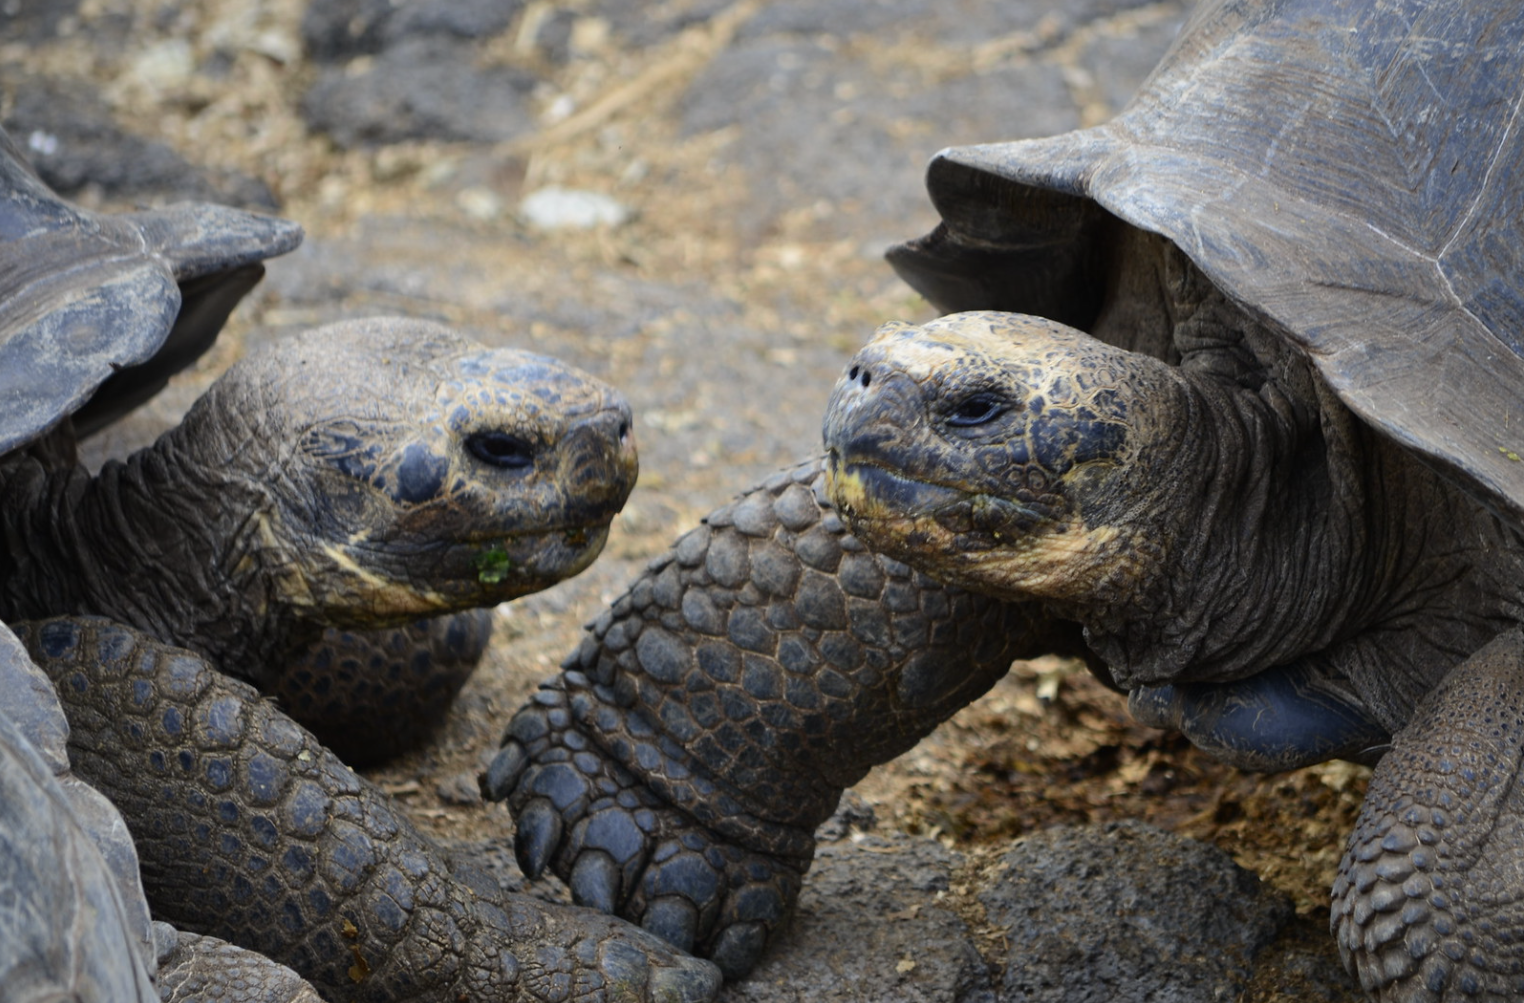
x: 371, y: 696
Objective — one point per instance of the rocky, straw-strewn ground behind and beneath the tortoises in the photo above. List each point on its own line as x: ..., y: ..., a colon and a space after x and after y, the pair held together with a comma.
x: 691, y: 199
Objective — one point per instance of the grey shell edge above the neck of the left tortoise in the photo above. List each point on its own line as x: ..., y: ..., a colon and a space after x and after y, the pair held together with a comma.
x: 97, y: 312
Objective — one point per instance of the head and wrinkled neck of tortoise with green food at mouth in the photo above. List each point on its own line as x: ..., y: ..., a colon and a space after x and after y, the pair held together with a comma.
x: 357, y: 476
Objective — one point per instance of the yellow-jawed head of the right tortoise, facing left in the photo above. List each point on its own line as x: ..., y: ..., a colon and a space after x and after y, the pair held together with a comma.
x: 996, y: 452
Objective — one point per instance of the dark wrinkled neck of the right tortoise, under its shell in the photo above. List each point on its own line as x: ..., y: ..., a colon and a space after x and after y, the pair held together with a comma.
x: 1270, y: 513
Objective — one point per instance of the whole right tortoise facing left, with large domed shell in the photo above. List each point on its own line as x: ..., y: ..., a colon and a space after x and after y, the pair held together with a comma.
x: 1234, y: 421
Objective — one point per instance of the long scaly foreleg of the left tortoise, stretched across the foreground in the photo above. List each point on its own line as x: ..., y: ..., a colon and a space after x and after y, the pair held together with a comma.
x: 249, y: 830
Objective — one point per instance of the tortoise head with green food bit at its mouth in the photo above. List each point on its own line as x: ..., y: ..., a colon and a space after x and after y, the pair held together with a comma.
x: 403, y: 470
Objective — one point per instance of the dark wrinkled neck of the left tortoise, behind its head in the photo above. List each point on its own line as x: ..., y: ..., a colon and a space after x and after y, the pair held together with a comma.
x: 161, y: 542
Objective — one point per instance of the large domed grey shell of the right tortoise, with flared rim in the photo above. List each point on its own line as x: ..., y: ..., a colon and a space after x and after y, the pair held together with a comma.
x: 1350, y: 170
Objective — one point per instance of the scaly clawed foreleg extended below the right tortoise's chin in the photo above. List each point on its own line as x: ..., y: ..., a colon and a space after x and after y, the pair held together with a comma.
x: 709, y: 722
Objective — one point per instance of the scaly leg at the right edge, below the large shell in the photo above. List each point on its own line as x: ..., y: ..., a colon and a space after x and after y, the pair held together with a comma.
x: 1429, y: 905
